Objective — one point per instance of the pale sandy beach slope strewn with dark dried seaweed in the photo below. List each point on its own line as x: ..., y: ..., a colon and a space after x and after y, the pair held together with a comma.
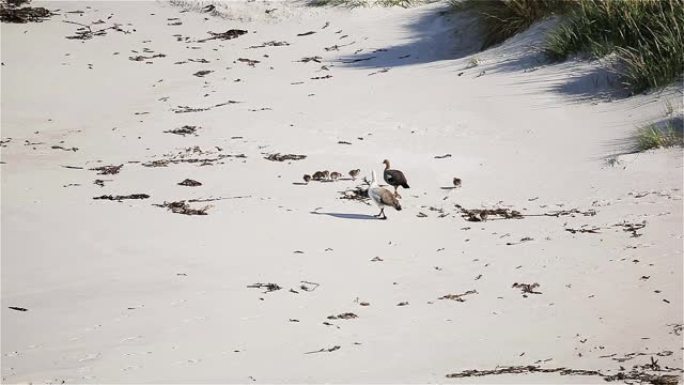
x: 129, y: 292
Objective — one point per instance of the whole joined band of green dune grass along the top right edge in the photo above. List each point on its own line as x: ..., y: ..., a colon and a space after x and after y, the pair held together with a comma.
x: 647, y: 36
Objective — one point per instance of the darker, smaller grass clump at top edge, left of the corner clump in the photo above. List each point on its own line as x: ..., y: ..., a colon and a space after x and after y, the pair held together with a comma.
x: 501, y: 19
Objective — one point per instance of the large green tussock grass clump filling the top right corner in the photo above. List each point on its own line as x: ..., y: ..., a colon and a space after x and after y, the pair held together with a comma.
x: 646, y: 35
